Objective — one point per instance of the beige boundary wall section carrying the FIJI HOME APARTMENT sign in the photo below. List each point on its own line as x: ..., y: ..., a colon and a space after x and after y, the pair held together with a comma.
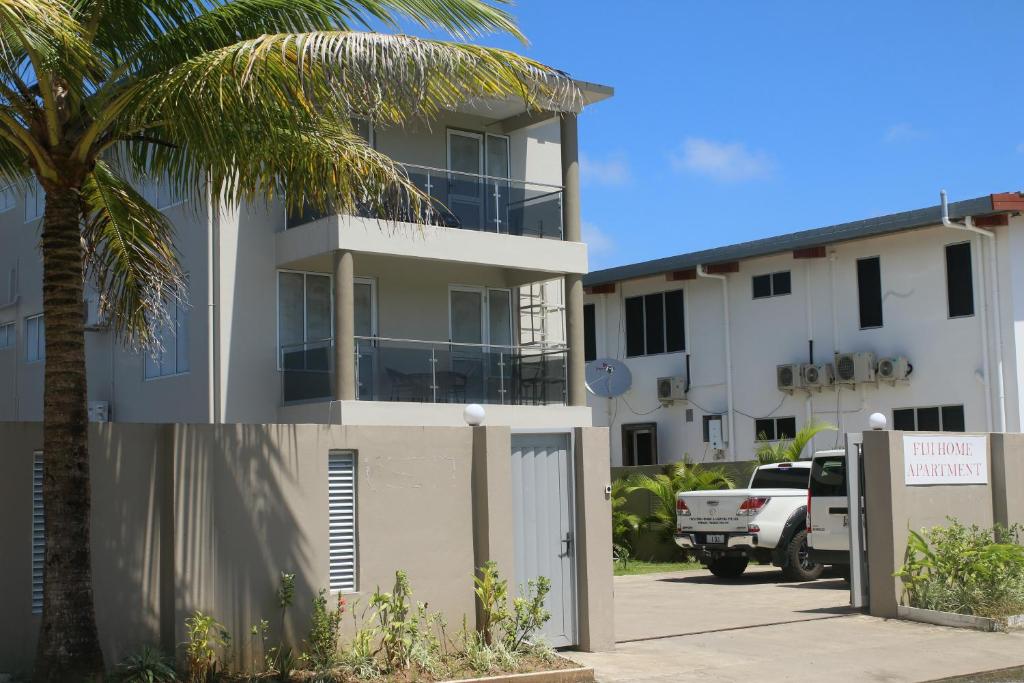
x: 893, y: 508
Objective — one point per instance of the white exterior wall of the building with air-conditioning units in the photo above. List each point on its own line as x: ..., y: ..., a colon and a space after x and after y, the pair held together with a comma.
x: 947, y: 354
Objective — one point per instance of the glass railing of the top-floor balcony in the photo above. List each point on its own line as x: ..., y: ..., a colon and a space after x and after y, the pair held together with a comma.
x: 480, y: 203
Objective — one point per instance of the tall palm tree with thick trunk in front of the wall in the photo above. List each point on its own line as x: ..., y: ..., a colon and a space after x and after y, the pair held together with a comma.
x: 236, y: 101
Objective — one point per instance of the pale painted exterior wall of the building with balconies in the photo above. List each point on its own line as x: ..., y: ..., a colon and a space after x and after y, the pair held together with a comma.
x: 413, y: 267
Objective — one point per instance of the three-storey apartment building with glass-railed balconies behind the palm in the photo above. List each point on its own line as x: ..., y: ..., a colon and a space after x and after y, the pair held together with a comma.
x: 344, y: 319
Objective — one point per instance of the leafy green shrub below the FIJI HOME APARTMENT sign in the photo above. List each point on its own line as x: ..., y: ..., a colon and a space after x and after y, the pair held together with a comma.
x: 965, y: 570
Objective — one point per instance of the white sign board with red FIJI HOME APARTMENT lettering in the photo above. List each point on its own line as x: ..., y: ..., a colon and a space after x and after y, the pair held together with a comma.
x: 945, y: 459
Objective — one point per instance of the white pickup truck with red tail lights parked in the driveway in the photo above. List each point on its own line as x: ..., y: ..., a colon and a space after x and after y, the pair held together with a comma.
x: 766, y: 522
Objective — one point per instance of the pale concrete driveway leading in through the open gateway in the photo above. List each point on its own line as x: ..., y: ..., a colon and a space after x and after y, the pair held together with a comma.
x: 687, y: 627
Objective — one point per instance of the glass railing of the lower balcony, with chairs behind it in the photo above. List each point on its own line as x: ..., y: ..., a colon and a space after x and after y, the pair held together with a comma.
x: 431, y: 372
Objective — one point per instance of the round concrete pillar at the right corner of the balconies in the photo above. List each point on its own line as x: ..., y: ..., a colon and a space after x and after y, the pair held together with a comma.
x: 572, y: 227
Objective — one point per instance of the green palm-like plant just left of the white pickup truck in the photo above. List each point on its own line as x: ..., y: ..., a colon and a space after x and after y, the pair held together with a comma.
x: 677, y: 478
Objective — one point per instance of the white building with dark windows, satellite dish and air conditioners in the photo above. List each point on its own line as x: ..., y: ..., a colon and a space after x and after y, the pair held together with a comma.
x: 753, y: 334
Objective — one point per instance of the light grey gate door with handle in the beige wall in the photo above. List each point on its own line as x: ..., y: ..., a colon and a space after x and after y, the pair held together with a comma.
x: 545, y: 526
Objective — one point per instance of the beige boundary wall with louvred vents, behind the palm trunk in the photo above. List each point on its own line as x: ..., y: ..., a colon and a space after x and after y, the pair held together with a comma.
x: 207, y: 518
